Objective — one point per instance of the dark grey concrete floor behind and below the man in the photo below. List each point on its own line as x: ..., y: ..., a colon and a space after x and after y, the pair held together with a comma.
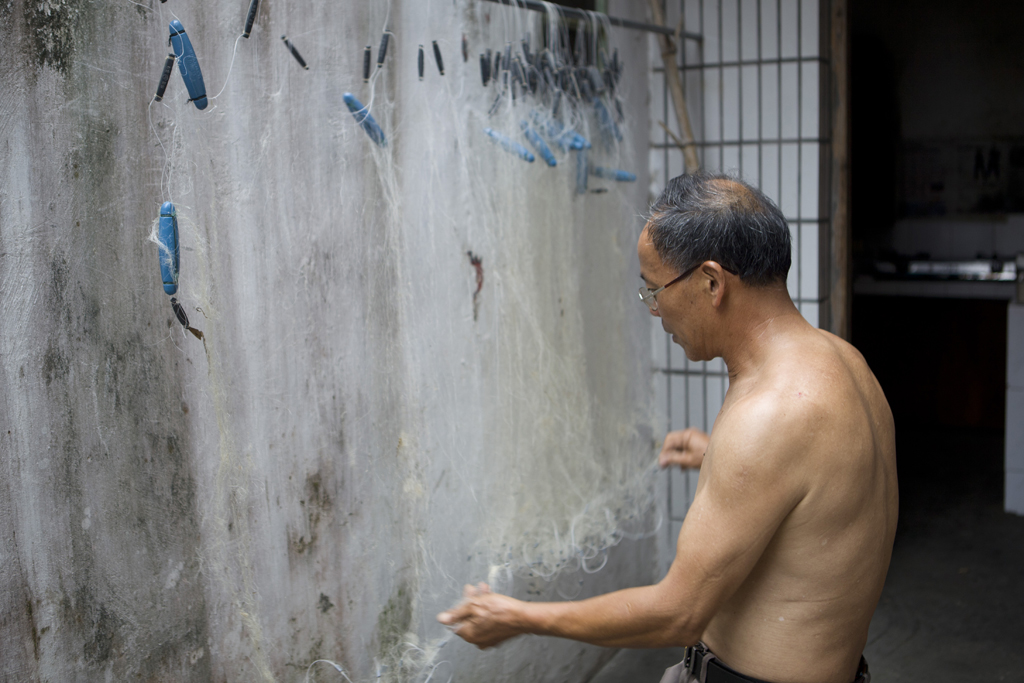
x: 953, y: 609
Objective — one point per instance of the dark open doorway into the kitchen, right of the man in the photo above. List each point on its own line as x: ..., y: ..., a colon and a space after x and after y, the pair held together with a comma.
x: 937, y: 163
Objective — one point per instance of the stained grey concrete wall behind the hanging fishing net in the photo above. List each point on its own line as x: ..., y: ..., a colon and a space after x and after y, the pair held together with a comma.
x: 320, y: 476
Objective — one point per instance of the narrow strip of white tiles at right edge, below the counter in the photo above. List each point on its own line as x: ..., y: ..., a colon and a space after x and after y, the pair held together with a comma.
x: 1015, y: 409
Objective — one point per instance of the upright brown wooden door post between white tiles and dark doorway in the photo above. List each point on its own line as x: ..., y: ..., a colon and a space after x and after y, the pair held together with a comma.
x: 841, y: 286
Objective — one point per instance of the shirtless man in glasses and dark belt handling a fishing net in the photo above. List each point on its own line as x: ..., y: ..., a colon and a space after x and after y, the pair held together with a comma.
x: 784, y: 553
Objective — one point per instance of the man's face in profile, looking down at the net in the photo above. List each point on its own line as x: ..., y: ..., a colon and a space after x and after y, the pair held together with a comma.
x: 676, y: 306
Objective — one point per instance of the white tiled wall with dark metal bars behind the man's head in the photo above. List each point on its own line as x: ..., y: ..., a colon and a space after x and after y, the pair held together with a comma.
x: 754, y: 91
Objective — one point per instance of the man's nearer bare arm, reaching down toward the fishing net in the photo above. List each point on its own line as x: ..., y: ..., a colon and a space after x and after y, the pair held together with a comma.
x: 748, y: 486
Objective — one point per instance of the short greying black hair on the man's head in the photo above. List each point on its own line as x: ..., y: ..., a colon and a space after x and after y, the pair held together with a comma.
x: 715, y: 218
